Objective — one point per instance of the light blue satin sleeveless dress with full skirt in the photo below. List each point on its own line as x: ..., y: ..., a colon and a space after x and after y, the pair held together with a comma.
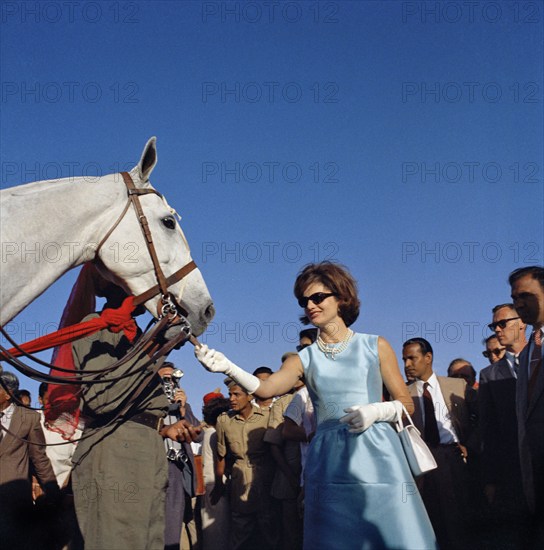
x: 359, y: 490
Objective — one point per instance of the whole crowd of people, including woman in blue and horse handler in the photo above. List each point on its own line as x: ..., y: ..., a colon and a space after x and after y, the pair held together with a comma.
x: 306, y: 456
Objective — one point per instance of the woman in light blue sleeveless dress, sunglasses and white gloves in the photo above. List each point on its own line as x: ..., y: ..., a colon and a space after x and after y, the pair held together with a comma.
x: 359, y: 491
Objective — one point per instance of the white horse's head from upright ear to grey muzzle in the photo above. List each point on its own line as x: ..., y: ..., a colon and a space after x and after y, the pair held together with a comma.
x: 131, y: 265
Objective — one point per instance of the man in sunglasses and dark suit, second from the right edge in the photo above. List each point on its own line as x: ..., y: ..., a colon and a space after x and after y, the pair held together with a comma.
x: 501, y: 471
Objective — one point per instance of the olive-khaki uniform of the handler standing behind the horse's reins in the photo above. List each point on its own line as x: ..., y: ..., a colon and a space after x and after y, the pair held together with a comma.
x: 120, y: 472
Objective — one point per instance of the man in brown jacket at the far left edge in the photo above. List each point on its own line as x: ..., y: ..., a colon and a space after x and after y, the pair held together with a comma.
x: 22, y: 446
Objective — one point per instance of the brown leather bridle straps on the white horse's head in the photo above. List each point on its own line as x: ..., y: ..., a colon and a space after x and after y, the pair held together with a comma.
x: 168, y: 306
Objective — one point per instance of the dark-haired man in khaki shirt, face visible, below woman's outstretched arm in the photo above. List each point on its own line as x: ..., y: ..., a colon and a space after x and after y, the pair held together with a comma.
x: 240, y: 442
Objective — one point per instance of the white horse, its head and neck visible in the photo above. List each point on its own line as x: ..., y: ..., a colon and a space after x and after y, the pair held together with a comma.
x: 49, y: 227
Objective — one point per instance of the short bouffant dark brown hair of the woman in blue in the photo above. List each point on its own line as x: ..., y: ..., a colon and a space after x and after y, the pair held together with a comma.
x: 337, y: 279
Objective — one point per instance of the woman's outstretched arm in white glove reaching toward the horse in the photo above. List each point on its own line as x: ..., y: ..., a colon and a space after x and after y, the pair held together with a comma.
x: 279, y: 383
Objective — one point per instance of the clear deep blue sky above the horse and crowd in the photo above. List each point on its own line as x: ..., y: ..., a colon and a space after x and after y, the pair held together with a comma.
x: 403, y: 139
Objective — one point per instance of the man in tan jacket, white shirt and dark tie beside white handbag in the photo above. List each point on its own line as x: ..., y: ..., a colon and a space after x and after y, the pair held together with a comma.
x: 443, y: 414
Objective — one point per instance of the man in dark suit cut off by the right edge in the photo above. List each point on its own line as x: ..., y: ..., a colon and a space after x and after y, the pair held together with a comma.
x: 527, y: 286
